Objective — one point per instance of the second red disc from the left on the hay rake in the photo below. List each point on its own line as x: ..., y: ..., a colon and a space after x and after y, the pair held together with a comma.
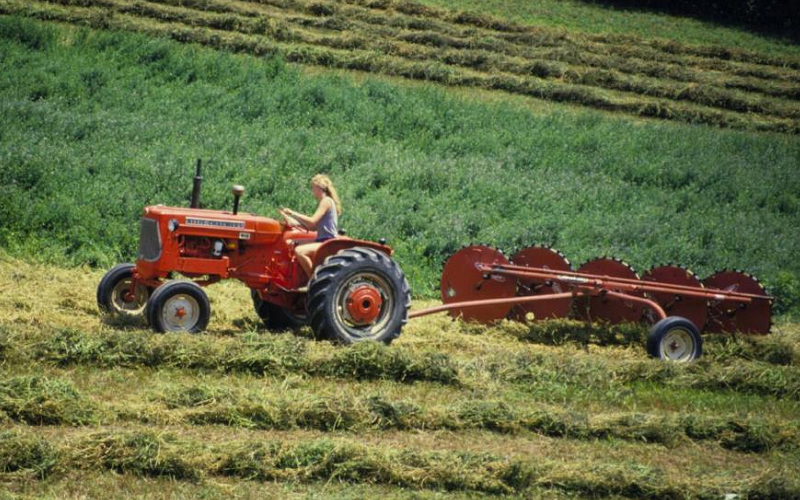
x: 543, y: 258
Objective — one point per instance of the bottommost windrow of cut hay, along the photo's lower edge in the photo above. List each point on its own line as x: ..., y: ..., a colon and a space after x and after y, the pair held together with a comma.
x: 149, y: 453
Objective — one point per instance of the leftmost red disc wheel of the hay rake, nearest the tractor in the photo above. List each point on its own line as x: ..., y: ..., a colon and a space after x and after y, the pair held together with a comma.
x: 463, y: 281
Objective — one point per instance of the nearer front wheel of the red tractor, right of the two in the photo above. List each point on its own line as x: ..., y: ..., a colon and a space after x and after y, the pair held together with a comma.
x: 178, y: 306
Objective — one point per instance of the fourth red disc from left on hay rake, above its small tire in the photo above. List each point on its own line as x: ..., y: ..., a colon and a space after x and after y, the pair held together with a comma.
x: 694, y: 309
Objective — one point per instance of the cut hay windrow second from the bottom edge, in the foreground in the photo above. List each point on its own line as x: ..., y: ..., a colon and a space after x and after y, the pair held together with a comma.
x: 38, y: 400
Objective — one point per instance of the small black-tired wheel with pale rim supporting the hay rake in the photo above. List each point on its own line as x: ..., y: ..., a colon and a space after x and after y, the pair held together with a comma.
x: 675, y: 339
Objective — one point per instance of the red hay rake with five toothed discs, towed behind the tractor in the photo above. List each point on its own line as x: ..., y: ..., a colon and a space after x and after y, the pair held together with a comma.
x: 479, y: 283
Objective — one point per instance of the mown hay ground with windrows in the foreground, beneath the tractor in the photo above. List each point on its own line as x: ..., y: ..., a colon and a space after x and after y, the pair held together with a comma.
x: 91, y: 408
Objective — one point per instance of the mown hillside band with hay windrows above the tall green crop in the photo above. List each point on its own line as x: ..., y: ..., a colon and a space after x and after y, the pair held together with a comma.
x: 618, y: 72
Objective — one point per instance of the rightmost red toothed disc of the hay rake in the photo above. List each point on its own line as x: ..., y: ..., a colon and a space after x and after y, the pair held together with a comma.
x: 728, y: 316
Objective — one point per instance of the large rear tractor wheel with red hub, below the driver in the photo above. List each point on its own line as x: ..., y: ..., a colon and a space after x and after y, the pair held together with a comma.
x: 359, y: 294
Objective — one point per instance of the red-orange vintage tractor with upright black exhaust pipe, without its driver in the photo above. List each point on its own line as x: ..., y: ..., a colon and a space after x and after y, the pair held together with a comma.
x: 357, y: 291
